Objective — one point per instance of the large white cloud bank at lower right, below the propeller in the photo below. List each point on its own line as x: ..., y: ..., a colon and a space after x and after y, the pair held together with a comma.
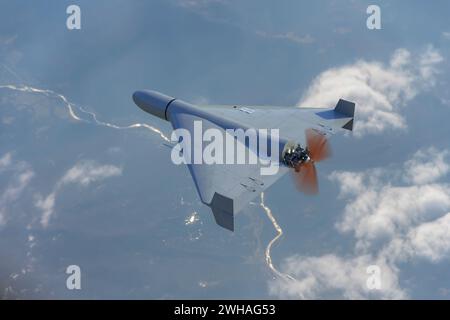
x: 390, y: 222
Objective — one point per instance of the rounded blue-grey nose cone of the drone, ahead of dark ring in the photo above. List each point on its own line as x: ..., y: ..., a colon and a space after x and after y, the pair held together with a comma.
x: 152, y: 102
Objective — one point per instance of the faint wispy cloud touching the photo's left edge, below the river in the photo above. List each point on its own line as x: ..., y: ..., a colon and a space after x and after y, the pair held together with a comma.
x: 20, y: 179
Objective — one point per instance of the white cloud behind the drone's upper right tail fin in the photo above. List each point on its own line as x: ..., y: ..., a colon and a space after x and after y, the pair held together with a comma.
x: 379, y: 90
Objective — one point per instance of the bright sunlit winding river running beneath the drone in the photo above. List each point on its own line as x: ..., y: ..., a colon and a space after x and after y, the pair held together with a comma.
x: 70, y: 107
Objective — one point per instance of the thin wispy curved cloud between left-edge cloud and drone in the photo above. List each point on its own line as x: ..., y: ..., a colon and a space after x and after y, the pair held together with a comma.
x: 83, y: 173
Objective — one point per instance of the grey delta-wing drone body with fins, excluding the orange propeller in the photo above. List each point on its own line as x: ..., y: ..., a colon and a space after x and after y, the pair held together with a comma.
x: 228, y: 189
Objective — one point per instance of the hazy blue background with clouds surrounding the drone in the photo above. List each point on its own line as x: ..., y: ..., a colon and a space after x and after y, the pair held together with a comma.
x: 110, y: 200
